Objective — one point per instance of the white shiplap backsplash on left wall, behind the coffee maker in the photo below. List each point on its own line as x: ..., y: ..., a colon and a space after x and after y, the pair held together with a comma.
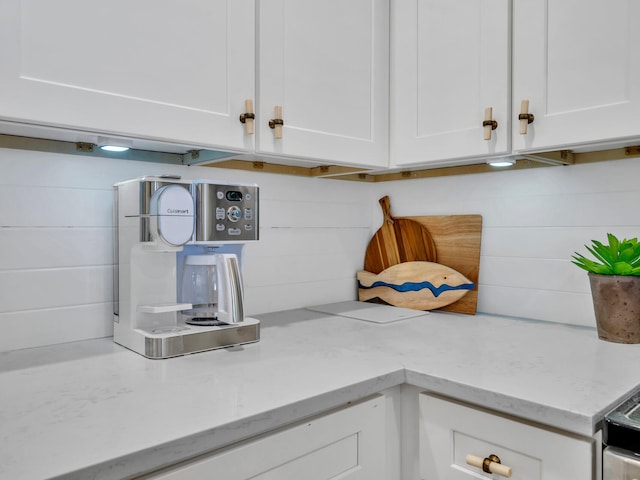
x: 56, y: 259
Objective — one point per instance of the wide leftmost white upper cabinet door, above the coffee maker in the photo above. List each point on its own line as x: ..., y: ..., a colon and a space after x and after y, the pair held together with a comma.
x: 177, y: 71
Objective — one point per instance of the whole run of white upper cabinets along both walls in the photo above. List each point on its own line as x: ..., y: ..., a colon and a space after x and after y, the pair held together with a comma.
x: 353, y: 82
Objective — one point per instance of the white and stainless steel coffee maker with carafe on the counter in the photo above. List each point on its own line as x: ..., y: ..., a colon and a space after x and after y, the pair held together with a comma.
x: 178, y: 250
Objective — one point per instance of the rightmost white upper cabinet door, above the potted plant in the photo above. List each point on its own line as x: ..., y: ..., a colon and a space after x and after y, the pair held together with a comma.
x: 578, y: 64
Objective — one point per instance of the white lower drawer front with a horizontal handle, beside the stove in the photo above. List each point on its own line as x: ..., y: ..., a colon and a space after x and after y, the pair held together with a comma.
x: 450, y: 431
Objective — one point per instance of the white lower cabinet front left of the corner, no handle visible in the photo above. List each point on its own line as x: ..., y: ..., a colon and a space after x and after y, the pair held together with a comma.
x: 348, y: 444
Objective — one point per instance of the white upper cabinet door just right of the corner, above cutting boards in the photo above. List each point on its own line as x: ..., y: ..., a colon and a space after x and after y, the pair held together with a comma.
x: 449, y: 62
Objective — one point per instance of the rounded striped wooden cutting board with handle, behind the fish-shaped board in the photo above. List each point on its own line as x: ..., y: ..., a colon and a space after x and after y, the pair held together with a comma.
x: 399, y: 239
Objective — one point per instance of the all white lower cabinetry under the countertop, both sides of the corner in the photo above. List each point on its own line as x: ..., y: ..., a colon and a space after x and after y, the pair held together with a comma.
x: 399, y: 435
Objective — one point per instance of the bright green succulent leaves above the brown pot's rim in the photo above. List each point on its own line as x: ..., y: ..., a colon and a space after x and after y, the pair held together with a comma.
x: 616, y: 258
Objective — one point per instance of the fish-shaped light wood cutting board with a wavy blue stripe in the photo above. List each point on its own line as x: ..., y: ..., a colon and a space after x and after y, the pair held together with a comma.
x: 416, y: 285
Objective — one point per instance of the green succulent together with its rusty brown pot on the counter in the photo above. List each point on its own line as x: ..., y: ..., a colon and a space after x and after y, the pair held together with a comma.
x: 614, y: 276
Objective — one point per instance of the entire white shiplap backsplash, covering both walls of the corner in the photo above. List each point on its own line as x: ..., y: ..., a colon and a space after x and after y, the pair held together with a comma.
x: 56, y: 237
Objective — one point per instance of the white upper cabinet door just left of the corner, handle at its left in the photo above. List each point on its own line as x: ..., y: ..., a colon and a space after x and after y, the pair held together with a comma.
x: 326, y: 64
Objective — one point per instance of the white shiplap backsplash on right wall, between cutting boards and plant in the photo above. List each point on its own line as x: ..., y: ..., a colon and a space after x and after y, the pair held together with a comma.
x: 533, y: 221
